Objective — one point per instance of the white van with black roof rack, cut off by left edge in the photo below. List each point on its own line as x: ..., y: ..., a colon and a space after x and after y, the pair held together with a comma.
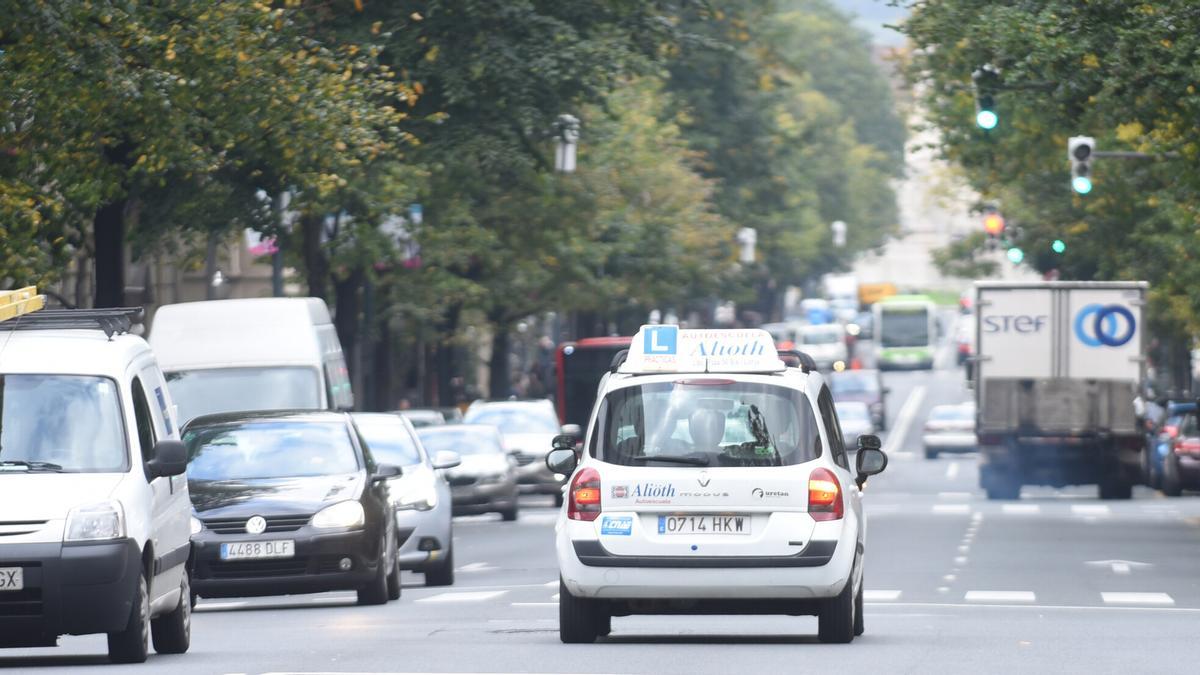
x: 94, y: 506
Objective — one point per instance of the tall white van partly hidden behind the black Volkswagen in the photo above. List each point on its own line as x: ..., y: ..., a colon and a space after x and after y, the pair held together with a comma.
x: 251, y: 355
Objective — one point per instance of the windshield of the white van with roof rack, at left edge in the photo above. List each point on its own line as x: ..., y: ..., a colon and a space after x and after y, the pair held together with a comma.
x: 61, y: 423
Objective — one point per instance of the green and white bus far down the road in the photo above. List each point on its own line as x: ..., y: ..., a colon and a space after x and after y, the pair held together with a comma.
x: 905, y: 332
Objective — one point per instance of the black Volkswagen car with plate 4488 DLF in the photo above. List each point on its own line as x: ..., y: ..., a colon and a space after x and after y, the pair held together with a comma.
x: 290, y: 503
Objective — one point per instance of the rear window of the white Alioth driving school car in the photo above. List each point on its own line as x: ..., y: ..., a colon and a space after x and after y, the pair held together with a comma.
x: 706, y: 423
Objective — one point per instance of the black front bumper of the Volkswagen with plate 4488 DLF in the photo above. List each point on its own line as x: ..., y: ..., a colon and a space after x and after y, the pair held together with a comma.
x: 315, y: 569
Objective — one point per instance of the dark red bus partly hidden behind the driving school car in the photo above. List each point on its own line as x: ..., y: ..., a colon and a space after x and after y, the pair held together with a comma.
x: 580, y: 366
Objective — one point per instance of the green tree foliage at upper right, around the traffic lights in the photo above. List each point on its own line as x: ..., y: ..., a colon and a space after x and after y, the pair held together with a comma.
x: 1123, y: 73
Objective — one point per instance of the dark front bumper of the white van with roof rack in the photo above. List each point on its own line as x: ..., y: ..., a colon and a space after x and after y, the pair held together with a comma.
x: 70, y: 589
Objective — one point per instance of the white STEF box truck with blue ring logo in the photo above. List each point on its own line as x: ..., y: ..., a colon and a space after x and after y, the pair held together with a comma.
x: 1058, y: 368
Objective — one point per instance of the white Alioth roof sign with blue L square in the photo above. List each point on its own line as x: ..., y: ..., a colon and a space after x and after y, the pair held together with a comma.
x: 669, y: 349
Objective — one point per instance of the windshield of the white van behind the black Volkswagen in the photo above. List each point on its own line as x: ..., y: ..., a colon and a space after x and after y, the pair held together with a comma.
x: 232, y: 390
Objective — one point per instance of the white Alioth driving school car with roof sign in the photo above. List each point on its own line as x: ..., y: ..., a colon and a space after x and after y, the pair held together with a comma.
x: 713, y: 481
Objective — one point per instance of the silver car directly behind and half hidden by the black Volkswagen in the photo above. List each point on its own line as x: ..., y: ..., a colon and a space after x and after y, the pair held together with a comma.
x: 421, y: 497
